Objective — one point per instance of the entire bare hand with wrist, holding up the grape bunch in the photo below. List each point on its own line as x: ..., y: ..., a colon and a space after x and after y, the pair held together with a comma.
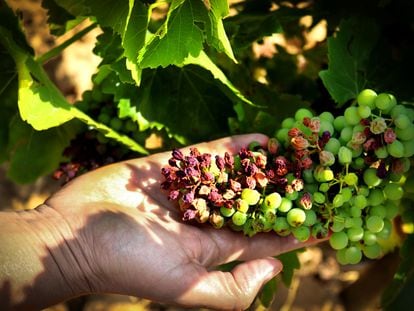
x: 113, y: 230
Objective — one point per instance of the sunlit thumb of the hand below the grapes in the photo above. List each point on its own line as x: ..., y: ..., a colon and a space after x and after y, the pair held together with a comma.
x: 233, y: 290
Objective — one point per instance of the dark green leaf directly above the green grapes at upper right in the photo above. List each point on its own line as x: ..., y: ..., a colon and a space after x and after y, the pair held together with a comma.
x: 349, y: 51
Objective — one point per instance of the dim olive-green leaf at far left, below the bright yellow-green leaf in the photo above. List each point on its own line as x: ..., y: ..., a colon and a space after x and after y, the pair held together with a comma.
x: 36, y: 153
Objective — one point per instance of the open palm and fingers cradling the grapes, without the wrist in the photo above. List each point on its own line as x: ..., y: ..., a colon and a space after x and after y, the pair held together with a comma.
x: 126, y: 237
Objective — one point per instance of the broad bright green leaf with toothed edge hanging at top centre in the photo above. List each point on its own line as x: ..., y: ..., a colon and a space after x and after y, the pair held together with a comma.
x: 181, y: 38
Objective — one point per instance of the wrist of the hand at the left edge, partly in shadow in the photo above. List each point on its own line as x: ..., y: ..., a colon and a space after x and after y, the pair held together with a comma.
x: 41, y: 259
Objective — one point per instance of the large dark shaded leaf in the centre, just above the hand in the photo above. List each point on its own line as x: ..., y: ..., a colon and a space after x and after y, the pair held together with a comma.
x: 186, y: 101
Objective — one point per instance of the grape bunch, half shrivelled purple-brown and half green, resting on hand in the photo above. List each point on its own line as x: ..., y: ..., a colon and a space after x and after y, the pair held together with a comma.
x: 320, y: 174
